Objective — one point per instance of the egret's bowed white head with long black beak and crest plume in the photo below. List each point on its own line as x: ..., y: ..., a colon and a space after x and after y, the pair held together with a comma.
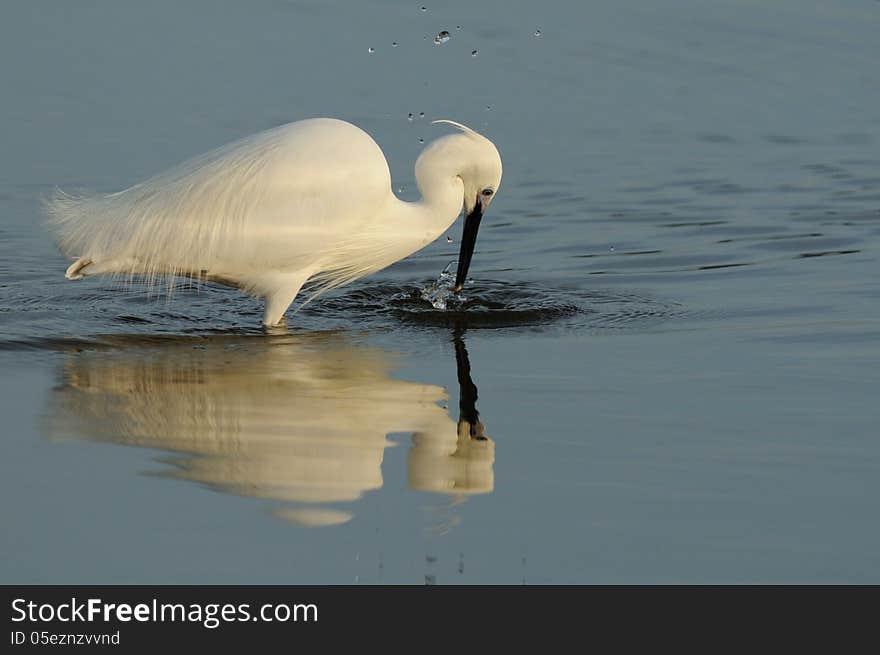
x: 477, y: 165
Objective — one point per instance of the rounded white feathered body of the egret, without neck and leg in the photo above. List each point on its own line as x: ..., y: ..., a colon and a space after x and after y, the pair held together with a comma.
x: 276, y: 200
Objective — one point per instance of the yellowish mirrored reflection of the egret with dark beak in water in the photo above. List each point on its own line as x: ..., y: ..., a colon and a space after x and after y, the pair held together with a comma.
x: 301, y: 419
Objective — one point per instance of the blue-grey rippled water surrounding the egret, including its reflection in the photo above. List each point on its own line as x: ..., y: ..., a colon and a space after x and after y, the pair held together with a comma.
x: 675, y: 324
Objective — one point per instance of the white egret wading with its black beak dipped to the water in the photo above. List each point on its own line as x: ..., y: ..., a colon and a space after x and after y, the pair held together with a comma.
x: 310, y: 201
